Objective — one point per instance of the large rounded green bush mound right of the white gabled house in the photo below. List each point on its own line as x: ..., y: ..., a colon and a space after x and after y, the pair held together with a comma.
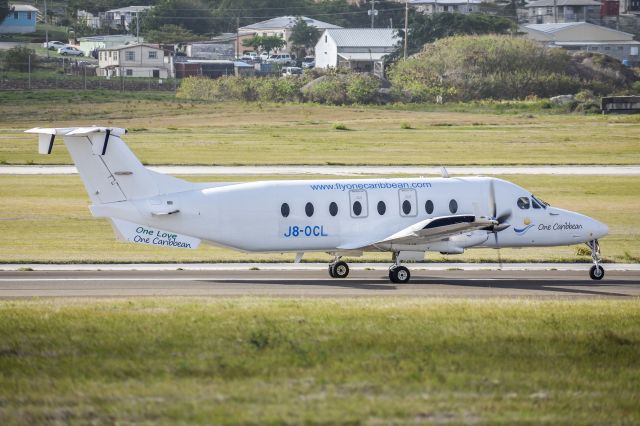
x: 464, y: 68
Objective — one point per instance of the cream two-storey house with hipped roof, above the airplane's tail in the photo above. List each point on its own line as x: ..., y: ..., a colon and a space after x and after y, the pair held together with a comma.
x: 138, y: 60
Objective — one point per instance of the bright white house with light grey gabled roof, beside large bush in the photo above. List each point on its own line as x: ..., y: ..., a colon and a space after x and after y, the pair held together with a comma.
x: 361, y: 49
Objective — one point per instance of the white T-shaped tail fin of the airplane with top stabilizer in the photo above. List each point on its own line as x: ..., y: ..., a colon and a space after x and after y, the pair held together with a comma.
x: 109, y: 170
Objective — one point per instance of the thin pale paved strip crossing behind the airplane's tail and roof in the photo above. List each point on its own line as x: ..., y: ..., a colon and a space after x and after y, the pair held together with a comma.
x: 351, y: 170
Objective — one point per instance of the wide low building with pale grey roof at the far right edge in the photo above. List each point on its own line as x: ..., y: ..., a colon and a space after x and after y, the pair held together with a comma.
x: 585, y: 36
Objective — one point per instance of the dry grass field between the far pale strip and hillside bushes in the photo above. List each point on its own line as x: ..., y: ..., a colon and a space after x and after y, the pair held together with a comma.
x: 169, y: 131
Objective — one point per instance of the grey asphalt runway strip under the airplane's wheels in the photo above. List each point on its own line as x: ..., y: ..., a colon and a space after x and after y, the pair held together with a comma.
x: 316, y: 283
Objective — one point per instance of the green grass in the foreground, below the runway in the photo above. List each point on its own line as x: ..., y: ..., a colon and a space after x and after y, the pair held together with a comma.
x: 324, y: 361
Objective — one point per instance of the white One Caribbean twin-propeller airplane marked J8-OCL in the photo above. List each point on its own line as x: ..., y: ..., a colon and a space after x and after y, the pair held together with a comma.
x: 405, y: 217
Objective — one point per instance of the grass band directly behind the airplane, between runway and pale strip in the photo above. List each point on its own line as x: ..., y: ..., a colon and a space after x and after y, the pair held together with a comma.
x: 46, y: 219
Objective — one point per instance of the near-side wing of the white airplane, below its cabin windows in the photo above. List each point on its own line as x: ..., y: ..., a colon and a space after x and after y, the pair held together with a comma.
x: 428, y: 231
